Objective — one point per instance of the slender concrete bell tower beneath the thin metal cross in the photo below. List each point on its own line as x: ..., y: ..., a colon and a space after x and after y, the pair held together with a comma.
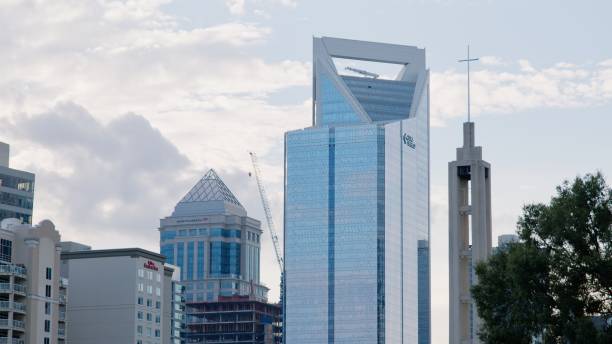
x: 469, y: 182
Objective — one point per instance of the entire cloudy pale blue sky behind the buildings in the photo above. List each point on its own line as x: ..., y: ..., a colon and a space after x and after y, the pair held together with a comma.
x: 120, y: 106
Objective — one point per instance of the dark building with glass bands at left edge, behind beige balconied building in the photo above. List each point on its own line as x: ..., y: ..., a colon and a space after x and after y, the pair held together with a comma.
x: 16, y: 189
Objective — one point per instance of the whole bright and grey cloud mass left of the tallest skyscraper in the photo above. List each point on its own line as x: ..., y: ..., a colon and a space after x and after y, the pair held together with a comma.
x: 202, y: 87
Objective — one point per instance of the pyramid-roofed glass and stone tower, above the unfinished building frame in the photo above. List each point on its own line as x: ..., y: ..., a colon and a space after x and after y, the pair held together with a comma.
x: 216, y: 245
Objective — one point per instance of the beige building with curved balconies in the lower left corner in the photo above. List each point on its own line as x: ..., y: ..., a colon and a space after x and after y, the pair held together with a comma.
x: 30, y: 284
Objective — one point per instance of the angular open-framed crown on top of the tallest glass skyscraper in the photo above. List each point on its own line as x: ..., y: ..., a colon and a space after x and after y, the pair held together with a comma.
x: 347, y: 100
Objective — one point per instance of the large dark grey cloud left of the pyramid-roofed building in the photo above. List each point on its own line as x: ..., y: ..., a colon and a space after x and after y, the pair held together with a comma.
x: 117, y: 177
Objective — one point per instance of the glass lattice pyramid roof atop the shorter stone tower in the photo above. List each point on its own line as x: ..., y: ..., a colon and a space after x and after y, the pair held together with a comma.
x: 210, y: 196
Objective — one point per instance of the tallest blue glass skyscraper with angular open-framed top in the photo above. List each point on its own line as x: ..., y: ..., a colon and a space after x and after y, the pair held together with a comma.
x: 357, y: 263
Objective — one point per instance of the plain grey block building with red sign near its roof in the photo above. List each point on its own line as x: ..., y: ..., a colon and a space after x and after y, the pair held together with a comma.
x: 118, y: 296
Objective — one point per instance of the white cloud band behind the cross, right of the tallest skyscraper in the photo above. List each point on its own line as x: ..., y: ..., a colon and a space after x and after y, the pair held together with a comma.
x: 505, y: 90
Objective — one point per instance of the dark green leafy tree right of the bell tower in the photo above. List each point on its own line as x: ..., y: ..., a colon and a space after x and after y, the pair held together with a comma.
x: 558, y: 277
